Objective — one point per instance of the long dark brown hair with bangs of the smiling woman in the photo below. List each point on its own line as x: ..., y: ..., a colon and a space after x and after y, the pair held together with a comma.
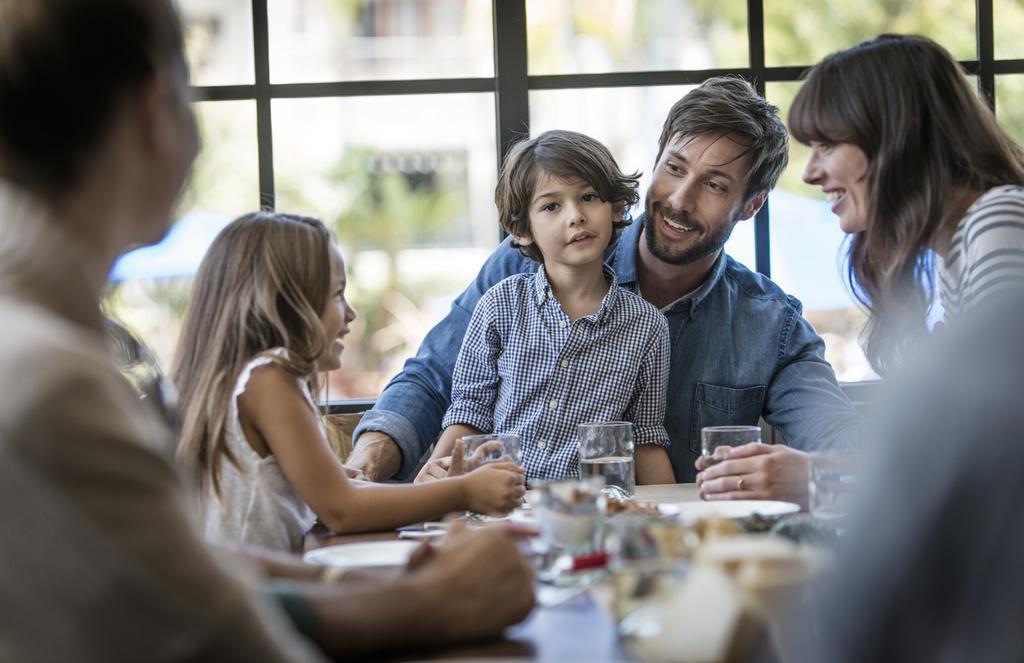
x: 931, y: 143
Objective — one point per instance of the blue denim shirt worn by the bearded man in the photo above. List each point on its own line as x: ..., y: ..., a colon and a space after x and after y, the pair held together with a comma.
x: 741, y: 350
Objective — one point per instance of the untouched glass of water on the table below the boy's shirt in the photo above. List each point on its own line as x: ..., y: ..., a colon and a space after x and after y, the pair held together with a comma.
x: 607, y: 450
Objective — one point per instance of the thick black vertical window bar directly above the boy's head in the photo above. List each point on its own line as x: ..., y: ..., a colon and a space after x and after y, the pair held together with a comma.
x: 511, y: 82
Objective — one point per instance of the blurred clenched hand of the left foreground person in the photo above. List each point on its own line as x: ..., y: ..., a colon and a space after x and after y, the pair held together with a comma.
x: 482, y: 583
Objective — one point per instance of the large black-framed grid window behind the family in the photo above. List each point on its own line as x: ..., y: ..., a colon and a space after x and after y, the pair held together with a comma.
x: 405, y: 173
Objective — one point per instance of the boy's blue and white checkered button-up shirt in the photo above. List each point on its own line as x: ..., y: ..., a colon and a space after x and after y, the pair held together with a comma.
x: 527, y: 368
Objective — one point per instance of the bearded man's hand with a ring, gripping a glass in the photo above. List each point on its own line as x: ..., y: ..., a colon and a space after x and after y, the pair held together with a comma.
x: 755, y: 472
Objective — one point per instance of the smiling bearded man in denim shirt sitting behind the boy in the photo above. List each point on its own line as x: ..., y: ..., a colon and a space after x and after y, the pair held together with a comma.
x: 741, y: 349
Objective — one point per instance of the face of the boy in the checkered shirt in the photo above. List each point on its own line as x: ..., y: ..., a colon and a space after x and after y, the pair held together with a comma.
x: 569, y: 222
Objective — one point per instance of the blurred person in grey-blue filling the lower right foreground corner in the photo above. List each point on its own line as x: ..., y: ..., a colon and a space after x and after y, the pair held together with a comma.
x: 932, y: 571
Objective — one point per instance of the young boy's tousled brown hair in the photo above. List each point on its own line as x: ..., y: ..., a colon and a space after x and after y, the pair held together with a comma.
x: 565, y: 155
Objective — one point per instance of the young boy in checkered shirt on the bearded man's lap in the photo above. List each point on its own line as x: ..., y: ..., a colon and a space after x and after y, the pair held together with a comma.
x: 548, y: 351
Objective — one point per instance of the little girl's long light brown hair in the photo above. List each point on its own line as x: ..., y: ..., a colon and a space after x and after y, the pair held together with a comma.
x: 264, y: 284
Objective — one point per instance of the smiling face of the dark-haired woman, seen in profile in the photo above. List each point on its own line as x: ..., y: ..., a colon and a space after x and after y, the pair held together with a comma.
x: 841, y: 170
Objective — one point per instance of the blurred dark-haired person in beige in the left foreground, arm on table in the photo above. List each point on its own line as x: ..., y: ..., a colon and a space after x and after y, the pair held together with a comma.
x: 100, y: 561
